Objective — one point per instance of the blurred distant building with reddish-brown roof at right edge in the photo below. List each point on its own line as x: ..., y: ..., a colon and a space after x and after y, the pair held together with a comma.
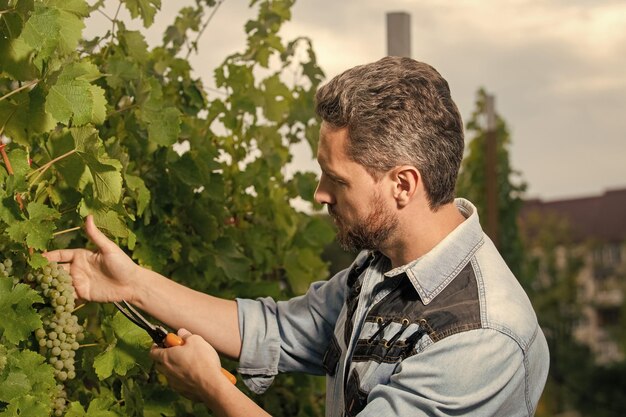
x: 594, y: 229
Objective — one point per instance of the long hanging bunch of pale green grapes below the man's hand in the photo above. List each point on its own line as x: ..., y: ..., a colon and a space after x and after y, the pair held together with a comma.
x: 61, y: 333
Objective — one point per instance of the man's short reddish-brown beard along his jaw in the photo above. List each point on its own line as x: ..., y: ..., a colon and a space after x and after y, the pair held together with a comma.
x: 369, y: 232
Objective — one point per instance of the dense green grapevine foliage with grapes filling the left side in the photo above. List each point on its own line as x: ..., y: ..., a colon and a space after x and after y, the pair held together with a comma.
x: 190, y: 181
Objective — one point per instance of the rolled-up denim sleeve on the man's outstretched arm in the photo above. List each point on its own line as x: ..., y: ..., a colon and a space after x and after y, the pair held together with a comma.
x: 288, y: 336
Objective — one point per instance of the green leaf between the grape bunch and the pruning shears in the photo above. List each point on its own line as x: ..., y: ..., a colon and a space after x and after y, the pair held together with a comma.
x: 128, y: 349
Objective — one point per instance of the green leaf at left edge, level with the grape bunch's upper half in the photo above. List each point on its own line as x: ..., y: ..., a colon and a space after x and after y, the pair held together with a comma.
x: 19, y: 318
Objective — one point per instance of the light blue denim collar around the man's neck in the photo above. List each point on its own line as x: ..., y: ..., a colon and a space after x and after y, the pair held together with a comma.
x: 431, y: 273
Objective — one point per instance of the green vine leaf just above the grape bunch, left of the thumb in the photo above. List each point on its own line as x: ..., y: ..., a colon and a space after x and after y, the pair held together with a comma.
x: 37, y: 229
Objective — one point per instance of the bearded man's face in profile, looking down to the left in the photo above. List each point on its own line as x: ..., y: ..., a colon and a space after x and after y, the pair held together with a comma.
x: 355, y: 200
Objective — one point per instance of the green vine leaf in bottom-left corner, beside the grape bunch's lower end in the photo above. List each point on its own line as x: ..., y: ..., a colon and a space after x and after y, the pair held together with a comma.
x: 25, y: 375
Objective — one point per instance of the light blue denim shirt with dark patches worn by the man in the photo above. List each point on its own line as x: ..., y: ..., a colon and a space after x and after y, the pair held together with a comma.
x: 451, y: 333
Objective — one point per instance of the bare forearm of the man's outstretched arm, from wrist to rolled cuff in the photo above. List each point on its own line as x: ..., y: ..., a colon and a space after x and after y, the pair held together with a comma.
x: 213, y: 318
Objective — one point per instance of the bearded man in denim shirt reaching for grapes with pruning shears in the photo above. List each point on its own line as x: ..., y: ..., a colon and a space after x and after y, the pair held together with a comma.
x: 428, y: 321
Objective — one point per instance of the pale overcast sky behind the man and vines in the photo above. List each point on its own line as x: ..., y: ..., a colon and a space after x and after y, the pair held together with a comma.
x: 557, y: 69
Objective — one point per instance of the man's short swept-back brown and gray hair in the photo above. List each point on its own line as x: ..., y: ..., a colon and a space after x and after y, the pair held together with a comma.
x: 398, y: 112
